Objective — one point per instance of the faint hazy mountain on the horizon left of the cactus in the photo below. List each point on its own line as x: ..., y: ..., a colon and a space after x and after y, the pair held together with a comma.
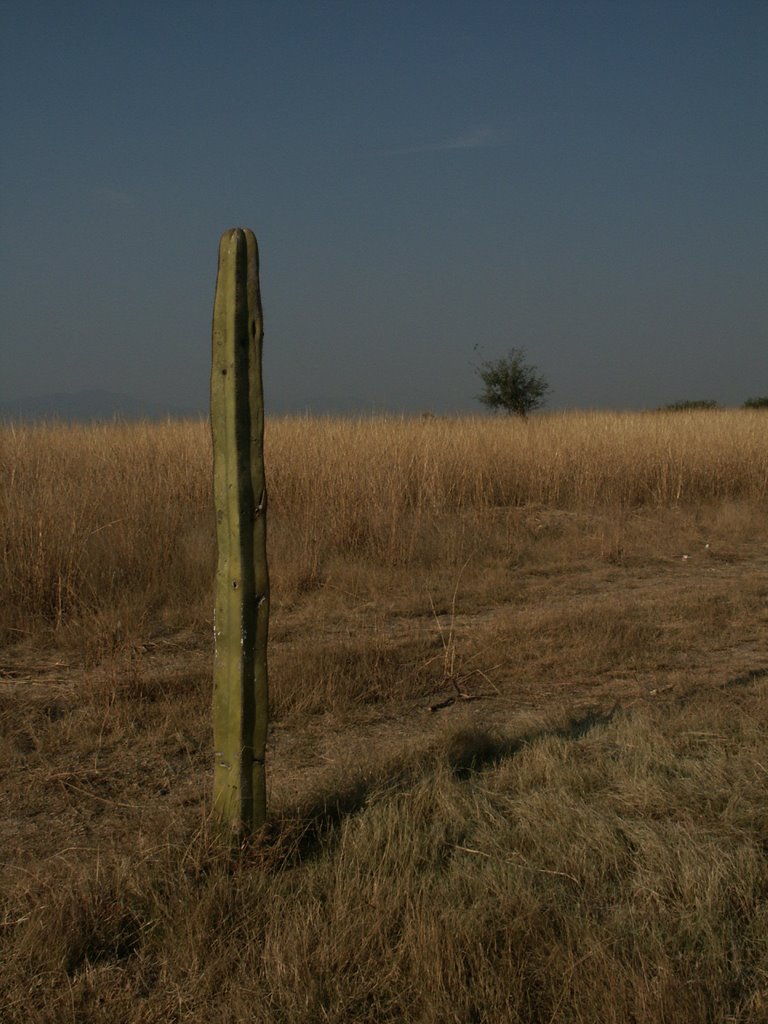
x: 84, y: 407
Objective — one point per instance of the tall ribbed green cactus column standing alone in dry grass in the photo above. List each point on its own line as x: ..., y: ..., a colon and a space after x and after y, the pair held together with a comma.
x: 242, y: 613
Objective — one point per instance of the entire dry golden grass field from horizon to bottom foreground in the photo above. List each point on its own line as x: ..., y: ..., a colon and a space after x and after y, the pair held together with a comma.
x: 519, y: 758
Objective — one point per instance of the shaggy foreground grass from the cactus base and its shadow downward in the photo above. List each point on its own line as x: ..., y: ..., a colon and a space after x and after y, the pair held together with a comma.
x: 608, y: 870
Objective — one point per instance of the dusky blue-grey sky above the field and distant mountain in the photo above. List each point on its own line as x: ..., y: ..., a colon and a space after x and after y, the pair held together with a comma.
x: 584, y: 180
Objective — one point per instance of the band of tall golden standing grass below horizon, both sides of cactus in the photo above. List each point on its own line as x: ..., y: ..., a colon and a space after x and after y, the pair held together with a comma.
x: 109, y: 524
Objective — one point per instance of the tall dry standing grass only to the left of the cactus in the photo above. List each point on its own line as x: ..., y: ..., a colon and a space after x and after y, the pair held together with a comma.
x: 97, y: 519
